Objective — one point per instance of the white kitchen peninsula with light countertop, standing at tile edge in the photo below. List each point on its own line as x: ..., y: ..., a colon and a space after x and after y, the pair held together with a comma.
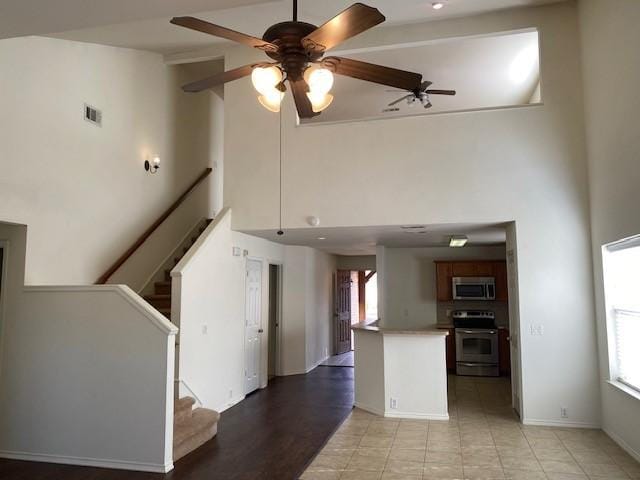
x: 400, y: 372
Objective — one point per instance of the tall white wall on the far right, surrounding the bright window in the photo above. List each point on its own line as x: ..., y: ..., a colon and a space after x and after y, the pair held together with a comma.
x: 610, y: 37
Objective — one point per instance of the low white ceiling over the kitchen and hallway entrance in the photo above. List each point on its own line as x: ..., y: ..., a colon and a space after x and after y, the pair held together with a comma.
x: 363, y: 240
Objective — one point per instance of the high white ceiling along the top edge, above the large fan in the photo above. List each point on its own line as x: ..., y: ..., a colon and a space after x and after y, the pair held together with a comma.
x: 155, y: 33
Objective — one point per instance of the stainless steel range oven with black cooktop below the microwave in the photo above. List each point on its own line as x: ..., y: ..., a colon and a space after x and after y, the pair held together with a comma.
x: 476, y: 344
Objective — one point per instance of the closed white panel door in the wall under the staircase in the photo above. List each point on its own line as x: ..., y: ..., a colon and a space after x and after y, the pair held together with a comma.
x: 253, y: 325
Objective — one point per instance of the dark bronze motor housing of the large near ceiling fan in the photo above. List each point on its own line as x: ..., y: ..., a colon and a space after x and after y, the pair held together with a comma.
x: 291, y: 53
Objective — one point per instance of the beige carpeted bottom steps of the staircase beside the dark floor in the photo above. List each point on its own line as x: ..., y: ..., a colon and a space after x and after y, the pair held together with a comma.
x: 192, y: 427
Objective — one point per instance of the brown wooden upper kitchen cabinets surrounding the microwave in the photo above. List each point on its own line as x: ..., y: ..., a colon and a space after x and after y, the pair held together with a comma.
x: 445, y: 271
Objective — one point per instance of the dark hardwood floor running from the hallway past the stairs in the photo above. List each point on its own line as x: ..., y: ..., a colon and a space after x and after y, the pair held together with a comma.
x: 273, y: 434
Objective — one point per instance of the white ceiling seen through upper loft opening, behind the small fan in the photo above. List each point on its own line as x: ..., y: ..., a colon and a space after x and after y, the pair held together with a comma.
x: 479, y: 69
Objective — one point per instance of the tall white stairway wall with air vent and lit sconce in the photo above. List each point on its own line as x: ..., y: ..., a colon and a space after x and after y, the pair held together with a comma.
x: 82, y: 189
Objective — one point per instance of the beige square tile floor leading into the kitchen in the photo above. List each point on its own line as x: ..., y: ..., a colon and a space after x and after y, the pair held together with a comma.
x: 482, y: 440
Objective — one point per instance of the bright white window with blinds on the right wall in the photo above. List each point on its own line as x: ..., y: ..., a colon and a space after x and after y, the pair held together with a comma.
x: 622, y: 291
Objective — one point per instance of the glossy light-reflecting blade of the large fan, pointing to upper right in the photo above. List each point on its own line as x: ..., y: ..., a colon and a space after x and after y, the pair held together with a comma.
x: 349, y: 23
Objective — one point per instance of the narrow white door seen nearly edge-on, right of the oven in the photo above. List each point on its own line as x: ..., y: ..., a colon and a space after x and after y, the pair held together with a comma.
x: 514, y: 331
